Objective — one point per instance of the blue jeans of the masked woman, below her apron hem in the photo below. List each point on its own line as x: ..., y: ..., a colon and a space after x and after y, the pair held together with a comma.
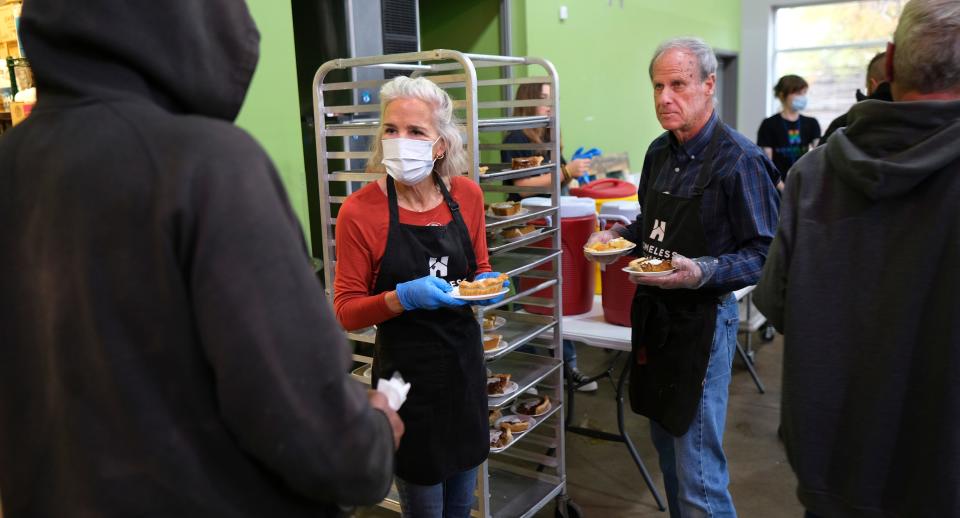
x: 452, y: 498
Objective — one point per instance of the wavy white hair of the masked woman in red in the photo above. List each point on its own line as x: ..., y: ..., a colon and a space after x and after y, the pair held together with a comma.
x: 454, y: 161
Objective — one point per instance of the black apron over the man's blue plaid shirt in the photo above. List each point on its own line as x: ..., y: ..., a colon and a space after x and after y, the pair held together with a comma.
x: 672, y: 330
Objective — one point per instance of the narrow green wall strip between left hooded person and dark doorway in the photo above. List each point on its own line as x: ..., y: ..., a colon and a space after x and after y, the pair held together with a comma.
x: 271, y: 111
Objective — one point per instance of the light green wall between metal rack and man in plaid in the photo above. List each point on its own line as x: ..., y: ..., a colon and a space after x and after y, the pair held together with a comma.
x: 602, y: 52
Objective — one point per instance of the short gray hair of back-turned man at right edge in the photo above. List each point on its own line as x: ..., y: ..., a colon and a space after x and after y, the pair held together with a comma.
x: 927, y: 56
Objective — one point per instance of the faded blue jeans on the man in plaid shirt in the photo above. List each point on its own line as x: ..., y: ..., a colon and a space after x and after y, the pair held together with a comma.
x: 694, y: 466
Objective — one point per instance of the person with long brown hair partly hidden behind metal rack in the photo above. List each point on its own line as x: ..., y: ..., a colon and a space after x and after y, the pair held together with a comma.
x: 570, y: 170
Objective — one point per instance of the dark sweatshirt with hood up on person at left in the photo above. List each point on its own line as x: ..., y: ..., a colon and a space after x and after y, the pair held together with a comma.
x: 165, y: 348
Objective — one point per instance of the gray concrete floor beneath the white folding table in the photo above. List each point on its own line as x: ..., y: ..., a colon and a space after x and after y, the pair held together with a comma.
x: 603, y: 480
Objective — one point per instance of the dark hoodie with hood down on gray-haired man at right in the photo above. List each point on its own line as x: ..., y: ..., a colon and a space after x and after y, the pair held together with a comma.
x: 862, y: 278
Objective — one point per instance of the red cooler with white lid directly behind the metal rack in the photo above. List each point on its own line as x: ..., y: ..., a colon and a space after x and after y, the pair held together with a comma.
x: 578, y: 220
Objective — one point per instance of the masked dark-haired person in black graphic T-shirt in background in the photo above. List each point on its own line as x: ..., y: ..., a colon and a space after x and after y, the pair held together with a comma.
x: 787, y: 135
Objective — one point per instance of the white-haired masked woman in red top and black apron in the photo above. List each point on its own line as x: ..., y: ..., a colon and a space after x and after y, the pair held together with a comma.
x: 402, y: 241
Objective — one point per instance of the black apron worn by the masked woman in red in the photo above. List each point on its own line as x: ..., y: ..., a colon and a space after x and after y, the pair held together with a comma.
x: 439, y: 352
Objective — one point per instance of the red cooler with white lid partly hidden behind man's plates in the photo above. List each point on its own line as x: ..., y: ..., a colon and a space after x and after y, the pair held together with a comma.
x: 618, y: 291
